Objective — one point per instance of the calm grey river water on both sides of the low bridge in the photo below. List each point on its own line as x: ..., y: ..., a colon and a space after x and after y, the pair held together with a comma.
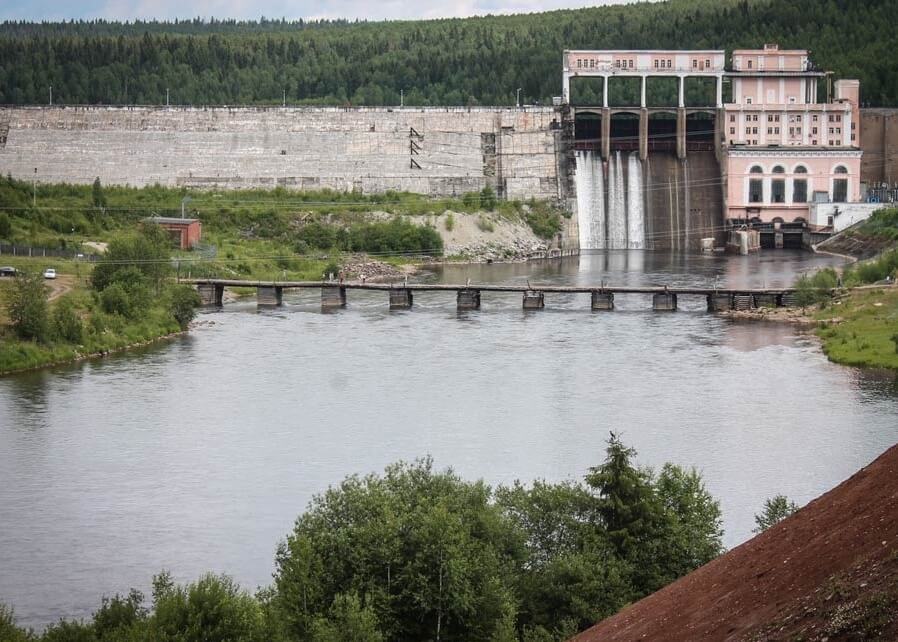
x: 198, y: 454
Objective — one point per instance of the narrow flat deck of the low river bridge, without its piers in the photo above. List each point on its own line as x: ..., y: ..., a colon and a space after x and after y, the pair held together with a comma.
x: 445, y: 287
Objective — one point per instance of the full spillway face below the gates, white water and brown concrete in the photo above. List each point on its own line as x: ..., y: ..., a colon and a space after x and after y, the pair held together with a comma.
x: 661, y: 203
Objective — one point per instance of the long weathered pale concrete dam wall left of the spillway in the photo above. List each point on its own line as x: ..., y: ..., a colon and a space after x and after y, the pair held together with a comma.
x: 434, y: 151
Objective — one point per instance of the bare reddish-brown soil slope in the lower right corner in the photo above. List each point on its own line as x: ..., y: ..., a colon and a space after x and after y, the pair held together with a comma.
x: 829, y: 572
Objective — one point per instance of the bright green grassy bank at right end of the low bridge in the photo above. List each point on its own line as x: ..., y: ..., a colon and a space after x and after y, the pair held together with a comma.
x: 865, y: 335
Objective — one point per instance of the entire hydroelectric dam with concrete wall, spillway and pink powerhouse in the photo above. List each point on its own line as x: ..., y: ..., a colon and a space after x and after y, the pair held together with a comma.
x: 647, y: 149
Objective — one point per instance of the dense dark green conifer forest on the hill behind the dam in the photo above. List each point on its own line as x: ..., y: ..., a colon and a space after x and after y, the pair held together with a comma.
x: 472, y: 61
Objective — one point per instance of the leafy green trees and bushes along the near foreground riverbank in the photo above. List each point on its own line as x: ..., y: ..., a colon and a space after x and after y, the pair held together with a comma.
x: 418, y: 554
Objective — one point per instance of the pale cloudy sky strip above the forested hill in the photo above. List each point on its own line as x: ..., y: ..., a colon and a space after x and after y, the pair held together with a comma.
x: 252, y: 9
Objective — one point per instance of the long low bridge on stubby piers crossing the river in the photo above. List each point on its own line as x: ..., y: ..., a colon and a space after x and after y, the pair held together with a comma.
x: 401, y: 295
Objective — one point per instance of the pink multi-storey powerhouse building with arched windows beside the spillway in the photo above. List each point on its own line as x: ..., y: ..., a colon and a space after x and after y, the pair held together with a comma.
x: 783, y: 149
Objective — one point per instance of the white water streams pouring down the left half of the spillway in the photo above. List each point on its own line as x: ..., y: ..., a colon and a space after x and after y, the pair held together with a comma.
x: 612, y: 218
